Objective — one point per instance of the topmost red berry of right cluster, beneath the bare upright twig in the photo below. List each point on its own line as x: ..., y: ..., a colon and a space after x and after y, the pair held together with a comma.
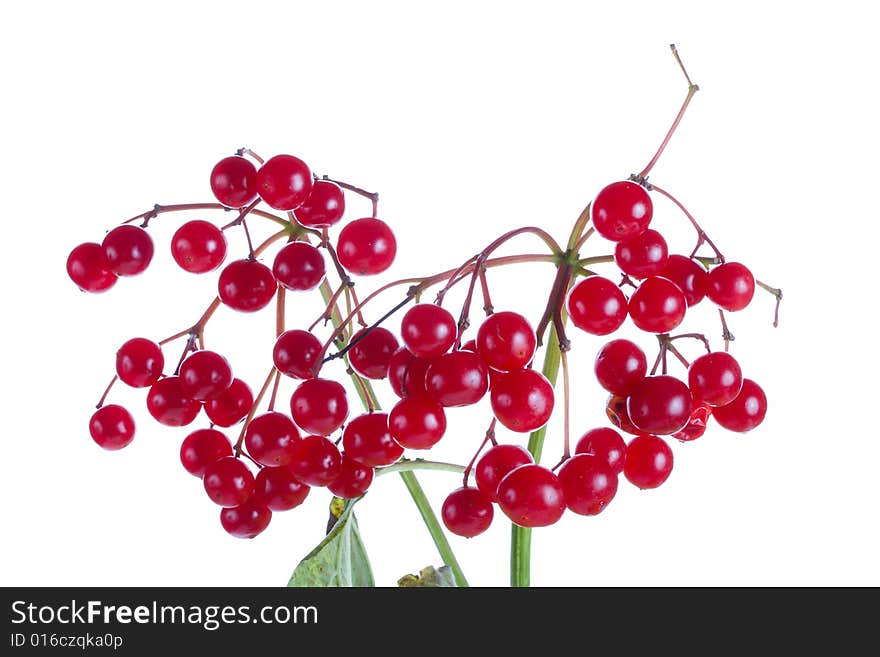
x: 622, y: 210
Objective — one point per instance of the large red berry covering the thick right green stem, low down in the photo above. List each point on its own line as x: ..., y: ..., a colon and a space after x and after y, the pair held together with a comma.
x: 531, y: 496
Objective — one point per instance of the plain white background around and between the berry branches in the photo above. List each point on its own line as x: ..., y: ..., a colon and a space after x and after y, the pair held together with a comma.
x: 469, y: 119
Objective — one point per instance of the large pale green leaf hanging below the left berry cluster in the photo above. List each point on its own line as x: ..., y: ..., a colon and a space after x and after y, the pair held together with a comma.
x: 339, y: 560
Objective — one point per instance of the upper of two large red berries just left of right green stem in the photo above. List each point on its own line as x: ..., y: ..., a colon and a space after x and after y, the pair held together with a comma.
x: 506, y: 341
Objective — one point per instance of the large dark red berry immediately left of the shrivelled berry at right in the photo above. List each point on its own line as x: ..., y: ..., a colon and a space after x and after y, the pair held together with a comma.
x: 660, y: 404
